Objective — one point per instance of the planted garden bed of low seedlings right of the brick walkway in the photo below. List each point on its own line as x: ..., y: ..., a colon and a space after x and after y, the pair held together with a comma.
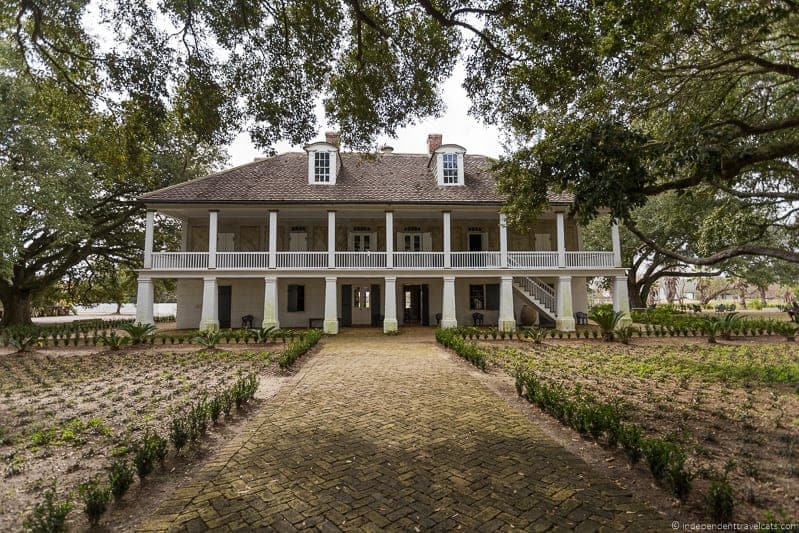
x: 732, y: 407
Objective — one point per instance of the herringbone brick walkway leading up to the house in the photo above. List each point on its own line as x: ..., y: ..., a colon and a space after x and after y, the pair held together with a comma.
x: 381, y: 432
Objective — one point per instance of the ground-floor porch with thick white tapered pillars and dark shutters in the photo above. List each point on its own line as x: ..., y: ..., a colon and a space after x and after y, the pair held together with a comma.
x: 331, y: 302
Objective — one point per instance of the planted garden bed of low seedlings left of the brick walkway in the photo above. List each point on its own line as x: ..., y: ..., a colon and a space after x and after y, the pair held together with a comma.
x: 67, y: 415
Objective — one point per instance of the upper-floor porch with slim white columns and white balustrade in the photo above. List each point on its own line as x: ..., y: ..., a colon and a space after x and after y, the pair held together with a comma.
x: 356, y: 238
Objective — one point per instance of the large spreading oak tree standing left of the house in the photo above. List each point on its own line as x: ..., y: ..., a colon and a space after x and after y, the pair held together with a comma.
x: 69, y: 177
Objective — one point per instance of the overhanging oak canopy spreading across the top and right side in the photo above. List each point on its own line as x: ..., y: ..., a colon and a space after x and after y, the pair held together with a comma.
x: 618, y: 102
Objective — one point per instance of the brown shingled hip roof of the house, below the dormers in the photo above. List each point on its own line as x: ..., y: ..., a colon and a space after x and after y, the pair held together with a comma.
x: 372, y: 179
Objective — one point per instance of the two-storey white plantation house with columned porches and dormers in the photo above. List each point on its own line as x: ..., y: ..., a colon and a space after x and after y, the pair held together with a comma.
x: 331, y: 238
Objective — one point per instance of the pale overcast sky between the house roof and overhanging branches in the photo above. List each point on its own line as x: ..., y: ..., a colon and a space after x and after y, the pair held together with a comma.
x: 455, y: 125
